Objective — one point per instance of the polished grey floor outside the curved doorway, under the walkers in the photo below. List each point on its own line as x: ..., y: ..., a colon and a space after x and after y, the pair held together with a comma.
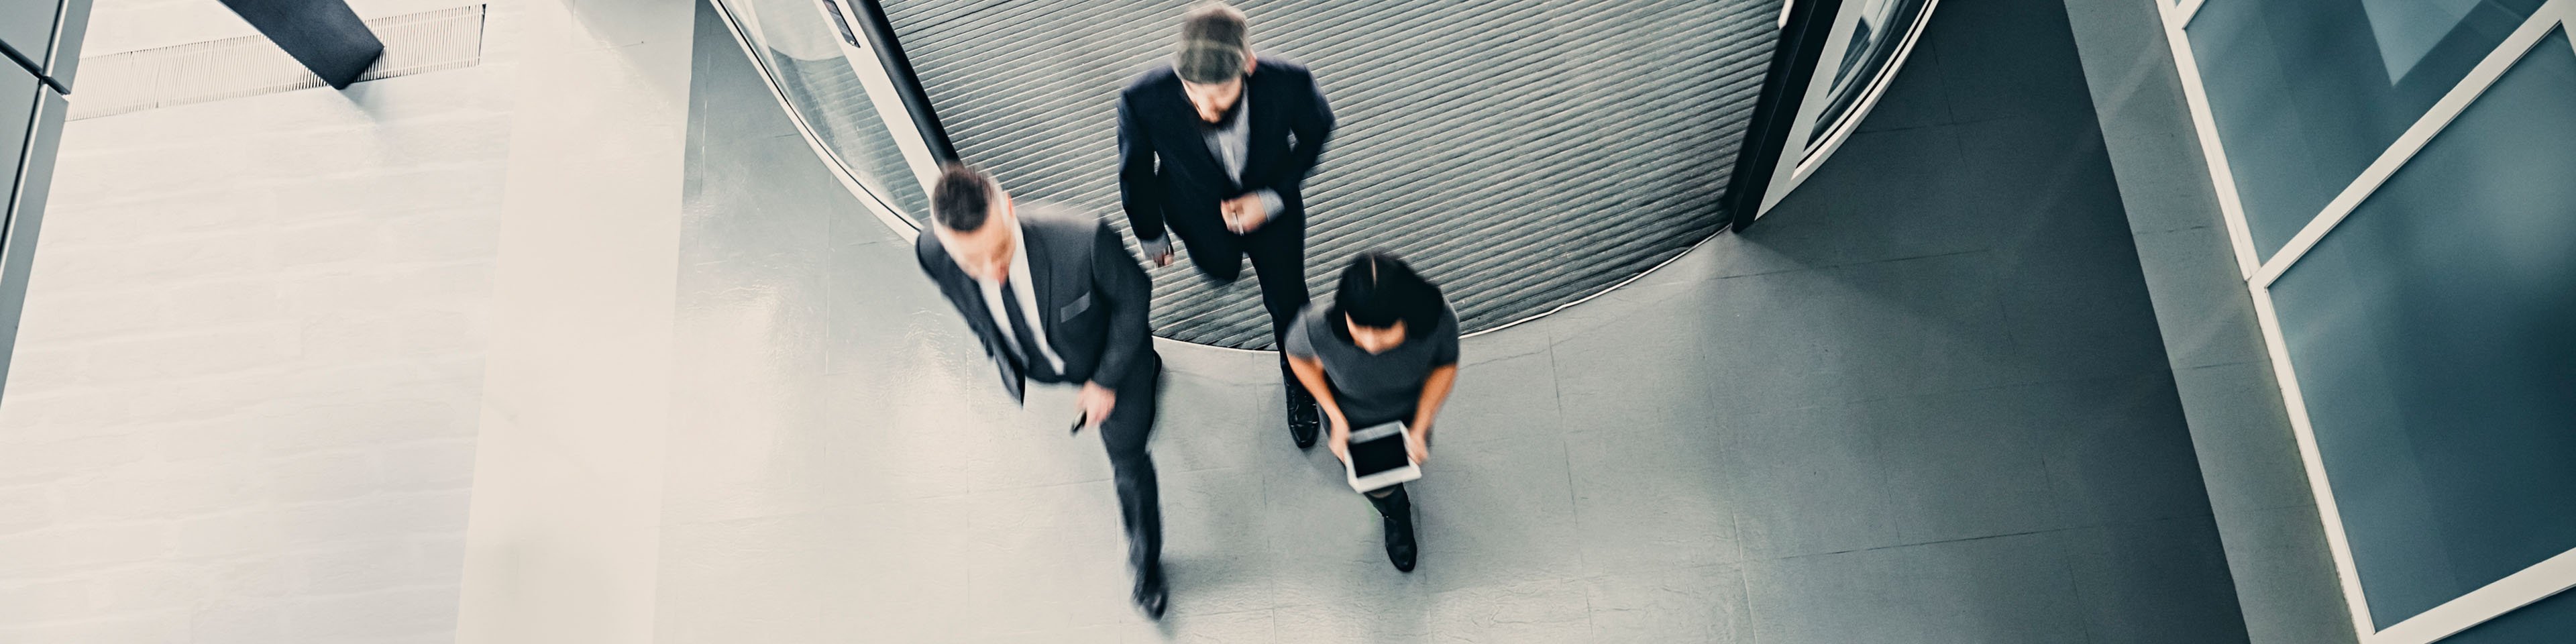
x: 1926, y: 401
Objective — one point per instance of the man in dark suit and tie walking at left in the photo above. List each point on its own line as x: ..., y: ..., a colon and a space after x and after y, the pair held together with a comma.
x: 1057, y: 300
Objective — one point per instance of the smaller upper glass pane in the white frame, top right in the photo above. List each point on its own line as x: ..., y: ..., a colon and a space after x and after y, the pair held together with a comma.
x: 2312, y: 91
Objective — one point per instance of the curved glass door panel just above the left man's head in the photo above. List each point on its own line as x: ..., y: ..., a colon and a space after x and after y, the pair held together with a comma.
x: 802, y: 50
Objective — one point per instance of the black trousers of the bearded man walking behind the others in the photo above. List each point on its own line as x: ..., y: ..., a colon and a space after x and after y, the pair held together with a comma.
x: 1279, y: 261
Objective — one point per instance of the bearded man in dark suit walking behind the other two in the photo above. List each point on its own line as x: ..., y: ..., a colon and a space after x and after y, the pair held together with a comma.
x: 1217, y: 151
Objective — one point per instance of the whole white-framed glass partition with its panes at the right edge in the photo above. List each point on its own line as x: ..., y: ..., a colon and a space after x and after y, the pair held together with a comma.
x: 2397, y: 187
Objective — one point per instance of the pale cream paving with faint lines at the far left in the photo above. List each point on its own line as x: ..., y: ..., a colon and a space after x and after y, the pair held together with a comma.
x: 246, y: 393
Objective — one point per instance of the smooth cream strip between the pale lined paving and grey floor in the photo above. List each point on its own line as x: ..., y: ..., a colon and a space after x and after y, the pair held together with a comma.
x: 568, y: 491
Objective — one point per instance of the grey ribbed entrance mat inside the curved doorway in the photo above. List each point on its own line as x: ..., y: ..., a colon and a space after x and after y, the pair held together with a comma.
x: 1524, y: 153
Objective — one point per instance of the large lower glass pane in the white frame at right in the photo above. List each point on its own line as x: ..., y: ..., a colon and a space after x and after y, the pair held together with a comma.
x: 2436, y: 344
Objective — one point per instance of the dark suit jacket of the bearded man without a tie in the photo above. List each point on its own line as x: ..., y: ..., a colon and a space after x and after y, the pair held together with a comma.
x: 1158, y: 122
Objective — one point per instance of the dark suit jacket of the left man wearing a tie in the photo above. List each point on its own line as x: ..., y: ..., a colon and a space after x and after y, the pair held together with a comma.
x: 1088, y: 287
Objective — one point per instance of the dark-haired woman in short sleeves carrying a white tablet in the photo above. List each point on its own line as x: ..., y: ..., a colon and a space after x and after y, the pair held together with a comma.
x: 1379, y: 362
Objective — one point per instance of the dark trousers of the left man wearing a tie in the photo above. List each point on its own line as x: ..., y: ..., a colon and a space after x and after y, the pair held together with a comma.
x: 1124, y: 434
